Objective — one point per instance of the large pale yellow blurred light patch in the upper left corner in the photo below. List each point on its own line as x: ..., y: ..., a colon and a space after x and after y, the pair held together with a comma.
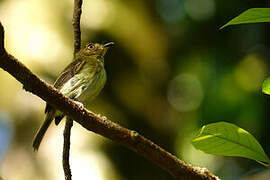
x: 29, y: 33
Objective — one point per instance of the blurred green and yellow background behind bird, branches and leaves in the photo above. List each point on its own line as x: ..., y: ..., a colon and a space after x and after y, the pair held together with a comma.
x: 171, y: 71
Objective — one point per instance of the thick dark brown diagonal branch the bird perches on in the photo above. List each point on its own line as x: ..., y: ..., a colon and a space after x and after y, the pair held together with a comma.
x: 100, y: 125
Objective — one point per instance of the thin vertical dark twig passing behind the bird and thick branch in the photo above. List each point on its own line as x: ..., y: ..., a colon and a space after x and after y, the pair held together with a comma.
x: 69, y: 122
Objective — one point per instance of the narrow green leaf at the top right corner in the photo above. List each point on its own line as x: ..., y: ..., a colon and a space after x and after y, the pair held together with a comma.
x: 253, y: 15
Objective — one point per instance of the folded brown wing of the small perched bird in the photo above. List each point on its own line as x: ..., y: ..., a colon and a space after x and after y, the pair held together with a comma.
x: 72, y: 69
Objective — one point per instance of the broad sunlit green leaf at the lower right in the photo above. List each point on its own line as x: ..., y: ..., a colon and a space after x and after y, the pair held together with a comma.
x: 227, y: 139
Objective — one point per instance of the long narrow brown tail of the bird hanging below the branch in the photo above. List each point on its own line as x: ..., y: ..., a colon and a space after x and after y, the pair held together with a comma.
x: 42, y: 130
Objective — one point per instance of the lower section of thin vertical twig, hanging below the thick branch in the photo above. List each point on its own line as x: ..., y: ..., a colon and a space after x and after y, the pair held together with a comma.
x: 66, y: 149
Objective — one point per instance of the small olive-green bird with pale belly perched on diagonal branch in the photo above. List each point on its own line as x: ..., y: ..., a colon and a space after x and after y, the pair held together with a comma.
x: 81, y: 80
